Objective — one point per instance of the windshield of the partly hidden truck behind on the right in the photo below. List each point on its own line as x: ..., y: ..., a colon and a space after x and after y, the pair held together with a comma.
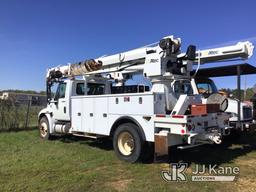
x: 206, y: 87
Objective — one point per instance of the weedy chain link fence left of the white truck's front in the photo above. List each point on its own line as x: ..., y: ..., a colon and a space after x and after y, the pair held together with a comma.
x: 19, y: 115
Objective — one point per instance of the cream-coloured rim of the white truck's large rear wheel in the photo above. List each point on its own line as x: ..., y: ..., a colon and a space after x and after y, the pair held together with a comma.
x: 125, y: 143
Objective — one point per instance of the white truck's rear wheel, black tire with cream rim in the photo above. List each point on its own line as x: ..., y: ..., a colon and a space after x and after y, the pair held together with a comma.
x: 128, y: 142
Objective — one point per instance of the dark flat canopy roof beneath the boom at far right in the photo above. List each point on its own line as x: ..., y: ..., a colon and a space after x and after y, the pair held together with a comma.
x: 230, y: 70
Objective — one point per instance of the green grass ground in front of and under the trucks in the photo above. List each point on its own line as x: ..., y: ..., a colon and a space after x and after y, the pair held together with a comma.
x: 28, y: 163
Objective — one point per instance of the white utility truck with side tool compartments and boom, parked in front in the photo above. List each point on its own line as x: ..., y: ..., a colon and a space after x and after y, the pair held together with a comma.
x: 93, y: 100
